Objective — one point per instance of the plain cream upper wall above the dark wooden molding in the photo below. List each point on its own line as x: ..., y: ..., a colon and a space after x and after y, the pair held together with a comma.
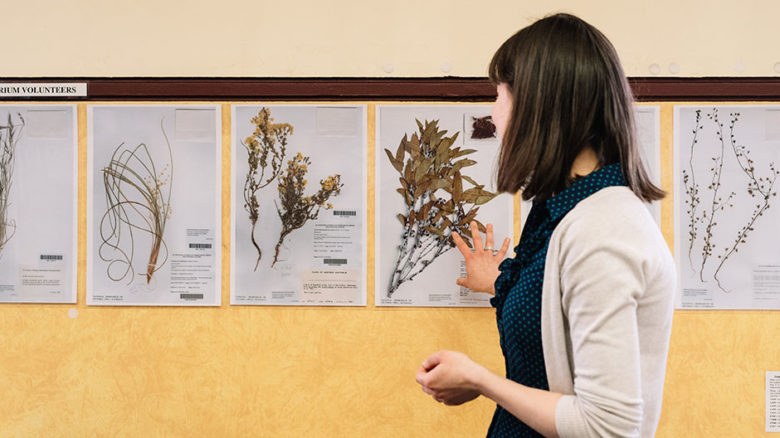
x: 363, y: 37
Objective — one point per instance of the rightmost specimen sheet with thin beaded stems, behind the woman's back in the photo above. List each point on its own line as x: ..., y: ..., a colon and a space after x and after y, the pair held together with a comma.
x: 727, y: 161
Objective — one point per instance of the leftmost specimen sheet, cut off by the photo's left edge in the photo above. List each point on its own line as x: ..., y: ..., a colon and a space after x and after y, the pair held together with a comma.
x: 38, y: 186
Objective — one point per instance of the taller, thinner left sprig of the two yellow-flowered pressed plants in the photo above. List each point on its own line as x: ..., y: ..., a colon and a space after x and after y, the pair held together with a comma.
x: 266, y: 148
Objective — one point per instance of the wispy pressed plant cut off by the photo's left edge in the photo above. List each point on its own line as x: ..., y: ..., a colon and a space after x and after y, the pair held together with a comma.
x: 9, y: 137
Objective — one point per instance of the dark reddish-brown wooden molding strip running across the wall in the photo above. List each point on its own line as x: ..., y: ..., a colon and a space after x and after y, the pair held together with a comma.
x: 417, y: 89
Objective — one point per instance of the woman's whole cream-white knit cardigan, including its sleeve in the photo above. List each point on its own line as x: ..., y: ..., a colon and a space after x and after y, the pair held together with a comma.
x: 607, y: 305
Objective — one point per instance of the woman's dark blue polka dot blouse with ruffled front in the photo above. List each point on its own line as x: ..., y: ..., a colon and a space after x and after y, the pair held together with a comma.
x: 518, y: 299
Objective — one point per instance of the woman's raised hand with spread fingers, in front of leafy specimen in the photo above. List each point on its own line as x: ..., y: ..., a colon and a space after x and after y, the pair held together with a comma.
x: 481, y: 262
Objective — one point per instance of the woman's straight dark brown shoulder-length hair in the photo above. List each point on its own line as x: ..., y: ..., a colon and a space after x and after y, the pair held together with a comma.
x: 568, y: 92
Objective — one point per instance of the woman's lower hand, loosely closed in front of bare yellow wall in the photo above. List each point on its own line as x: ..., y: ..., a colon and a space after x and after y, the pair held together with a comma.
x: 450, y: 377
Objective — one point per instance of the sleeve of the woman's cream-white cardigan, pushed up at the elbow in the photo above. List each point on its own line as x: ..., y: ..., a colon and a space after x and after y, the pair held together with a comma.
x: 603, y: 268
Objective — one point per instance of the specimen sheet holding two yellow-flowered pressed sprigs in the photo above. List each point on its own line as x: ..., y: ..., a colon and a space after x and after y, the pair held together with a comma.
x: 298, y: 205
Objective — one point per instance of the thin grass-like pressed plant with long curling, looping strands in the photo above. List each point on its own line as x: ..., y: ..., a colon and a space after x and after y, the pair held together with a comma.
x: 138, y: 200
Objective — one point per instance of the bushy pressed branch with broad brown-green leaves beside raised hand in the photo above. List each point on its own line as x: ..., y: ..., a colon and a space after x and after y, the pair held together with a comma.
x: 435, y: 202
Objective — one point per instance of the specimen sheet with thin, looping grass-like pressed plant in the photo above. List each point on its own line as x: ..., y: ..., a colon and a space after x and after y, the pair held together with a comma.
x: 154, y: 205
